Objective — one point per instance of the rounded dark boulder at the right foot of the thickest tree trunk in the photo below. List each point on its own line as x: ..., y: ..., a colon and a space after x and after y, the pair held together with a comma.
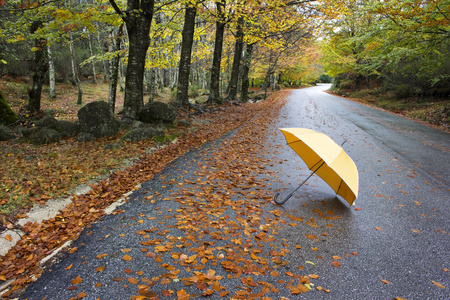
x: 157, y: 112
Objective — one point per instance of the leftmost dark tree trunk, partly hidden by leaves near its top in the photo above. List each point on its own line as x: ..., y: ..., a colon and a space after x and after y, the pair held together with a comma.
x: 39, y: 69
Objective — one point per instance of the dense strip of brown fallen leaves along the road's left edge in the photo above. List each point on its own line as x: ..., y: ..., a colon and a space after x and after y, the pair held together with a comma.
x: 22, y: 263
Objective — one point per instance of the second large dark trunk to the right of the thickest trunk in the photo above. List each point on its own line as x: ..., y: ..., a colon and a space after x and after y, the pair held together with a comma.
x: 214, y: 91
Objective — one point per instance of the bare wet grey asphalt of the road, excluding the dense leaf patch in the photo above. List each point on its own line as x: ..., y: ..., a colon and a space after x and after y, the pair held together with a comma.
x: 394, y: 243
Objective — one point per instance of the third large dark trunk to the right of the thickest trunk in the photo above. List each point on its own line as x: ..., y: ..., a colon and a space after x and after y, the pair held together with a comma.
x: 238, y: 47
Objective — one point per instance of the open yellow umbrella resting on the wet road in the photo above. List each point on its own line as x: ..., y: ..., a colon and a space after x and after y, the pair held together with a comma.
x: 326, y: 159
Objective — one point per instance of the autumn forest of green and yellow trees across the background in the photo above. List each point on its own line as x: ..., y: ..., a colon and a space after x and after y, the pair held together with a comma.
x: 376, y: 48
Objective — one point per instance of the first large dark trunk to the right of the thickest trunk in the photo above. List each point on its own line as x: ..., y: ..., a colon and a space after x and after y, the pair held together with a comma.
x: 185, y: 56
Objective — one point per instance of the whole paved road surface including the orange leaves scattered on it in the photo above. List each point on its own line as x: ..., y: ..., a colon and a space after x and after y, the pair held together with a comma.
x: 395, y: 242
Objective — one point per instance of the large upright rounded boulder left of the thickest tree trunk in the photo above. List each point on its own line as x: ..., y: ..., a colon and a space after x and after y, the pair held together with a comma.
x: 96, y: 118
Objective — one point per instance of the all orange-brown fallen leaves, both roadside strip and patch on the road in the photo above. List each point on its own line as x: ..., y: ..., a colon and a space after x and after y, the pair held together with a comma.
x: 224, y: 214
